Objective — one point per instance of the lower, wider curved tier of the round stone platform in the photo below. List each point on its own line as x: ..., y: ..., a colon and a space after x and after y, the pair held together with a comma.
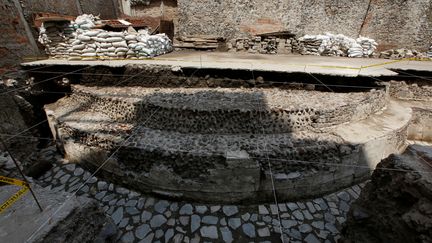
x: 208, y: 166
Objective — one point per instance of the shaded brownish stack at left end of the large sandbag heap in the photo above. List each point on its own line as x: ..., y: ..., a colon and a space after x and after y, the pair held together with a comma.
x: 56, y: 37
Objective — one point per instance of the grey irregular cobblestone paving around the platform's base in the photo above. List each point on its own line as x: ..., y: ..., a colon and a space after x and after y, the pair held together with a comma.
x: 143, y: 218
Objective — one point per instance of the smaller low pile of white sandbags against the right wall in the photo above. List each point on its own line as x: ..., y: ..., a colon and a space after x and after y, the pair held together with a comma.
x: 336, y: 45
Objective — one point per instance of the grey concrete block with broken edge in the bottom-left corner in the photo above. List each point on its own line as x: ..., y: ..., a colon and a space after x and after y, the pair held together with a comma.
x: 23, y: 221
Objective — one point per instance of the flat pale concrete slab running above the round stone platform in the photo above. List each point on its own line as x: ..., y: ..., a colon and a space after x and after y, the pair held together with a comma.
x: 337, y: 66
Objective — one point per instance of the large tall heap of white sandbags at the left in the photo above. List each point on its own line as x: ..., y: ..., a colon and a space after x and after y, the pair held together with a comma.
x: 78, y: 41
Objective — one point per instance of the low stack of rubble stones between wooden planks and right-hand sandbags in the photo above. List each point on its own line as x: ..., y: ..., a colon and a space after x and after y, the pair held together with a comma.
x: 264, y: 45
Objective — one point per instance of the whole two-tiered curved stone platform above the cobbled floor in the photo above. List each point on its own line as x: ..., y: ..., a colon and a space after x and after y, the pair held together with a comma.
x: 226, y: 145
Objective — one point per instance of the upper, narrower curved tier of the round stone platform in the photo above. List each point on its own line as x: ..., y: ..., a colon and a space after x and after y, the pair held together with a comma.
x: 230, y: 111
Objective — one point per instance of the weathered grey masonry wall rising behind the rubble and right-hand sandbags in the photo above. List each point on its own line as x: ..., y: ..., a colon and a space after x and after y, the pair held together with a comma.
x: 394, y: 23
